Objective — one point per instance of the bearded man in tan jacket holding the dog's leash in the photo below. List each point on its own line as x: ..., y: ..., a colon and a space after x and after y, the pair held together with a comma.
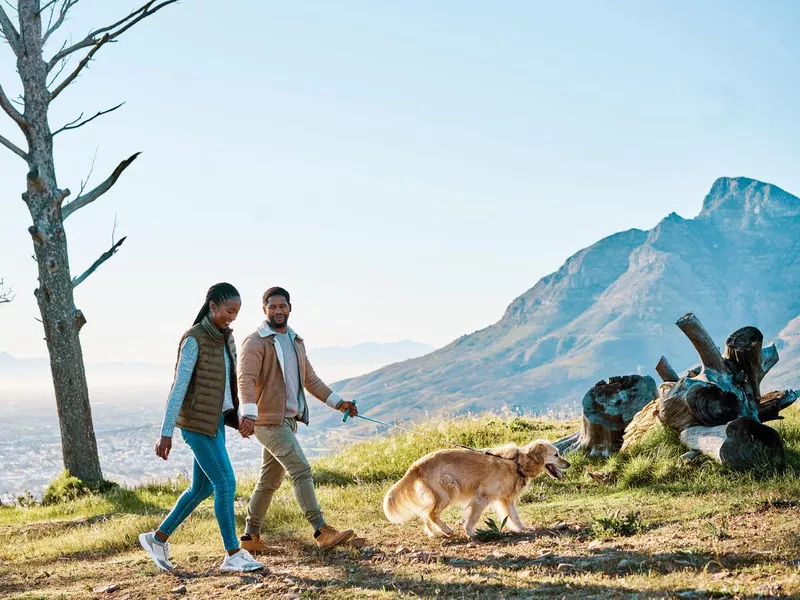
x: 273, y: 371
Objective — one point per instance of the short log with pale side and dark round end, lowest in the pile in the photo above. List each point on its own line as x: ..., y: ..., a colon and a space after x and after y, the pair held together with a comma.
x: 741, y: 443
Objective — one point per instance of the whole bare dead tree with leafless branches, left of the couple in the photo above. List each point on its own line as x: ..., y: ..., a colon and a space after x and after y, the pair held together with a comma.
x: 42, y: 83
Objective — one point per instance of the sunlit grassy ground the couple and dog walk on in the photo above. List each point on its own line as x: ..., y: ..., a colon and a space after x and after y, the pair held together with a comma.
x: 657, y: 528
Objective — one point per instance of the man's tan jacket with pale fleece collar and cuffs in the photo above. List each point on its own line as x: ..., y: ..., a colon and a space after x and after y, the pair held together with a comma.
x: 261, y: 379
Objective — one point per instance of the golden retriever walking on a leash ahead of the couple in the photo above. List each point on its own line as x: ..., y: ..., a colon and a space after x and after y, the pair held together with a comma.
x: 474, y: 480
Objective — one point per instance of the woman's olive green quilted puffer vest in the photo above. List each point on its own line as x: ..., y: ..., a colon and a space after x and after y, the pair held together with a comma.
x: 202, y: 406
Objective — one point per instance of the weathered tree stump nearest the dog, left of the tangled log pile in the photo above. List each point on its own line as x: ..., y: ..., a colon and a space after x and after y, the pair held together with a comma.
x: 607, y: 409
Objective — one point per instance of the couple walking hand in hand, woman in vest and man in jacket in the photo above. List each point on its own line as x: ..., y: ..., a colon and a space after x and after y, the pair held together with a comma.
x: 262, y: 396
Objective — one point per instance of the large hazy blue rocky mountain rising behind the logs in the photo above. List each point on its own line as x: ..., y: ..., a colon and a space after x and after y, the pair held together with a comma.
x: 611, y: 308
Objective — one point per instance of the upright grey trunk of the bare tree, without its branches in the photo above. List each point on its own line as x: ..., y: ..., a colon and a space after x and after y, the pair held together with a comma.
x: 61, y: 320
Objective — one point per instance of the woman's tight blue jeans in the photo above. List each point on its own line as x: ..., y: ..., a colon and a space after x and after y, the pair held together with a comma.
x: 212, y: 473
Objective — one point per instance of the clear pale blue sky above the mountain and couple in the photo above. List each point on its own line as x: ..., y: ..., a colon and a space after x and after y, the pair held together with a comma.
x: 404, y: 168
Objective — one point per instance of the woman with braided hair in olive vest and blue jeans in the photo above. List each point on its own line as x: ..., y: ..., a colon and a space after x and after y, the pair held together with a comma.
x: 202, y: 401
